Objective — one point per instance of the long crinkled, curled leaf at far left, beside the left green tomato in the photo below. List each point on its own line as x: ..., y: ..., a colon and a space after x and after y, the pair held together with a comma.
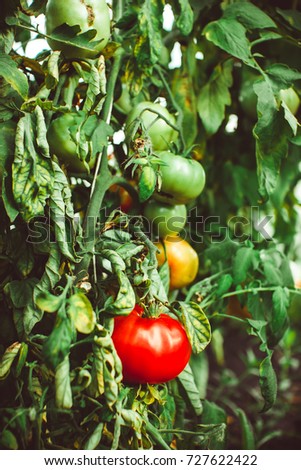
x: 32, y: 172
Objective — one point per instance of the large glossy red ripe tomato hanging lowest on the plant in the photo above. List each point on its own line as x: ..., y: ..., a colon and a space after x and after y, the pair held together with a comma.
x: 152, y: 350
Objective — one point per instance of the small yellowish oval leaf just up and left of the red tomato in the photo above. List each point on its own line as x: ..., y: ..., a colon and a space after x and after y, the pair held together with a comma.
x: 82, y: 314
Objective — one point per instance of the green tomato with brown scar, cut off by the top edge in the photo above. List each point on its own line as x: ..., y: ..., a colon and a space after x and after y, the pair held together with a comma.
x: 87, y: 15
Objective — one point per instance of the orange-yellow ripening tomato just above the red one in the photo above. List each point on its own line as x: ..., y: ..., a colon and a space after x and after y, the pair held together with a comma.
x: 182, y: 259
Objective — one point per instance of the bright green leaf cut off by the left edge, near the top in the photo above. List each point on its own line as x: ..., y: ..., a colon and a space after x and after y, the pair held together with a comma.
x: 12, y: 75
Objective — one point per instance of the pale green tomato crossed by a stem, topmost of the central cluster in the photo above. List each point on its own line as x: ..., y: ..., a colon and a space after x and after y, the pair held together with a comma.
x: 159, y: 131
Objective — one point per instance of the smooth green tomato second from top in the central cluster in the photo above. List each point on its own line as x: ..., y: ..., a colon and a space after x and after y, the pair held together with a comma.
x: 183, y: 179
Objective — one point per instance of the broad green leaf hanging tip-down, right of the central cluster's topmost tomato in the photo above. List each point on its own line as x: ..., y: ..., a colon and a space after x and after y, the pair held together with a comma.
x: 215, y: 96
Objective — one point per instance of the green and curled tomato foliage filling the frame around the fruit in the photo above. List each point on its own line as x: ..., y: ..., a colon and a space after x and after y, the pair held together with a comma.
x: 71, y: 260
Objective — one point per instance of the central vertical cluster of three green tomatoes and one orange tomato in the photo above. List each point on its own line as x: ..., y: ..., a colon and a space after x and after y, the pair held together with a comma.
x: 182, y: 181
